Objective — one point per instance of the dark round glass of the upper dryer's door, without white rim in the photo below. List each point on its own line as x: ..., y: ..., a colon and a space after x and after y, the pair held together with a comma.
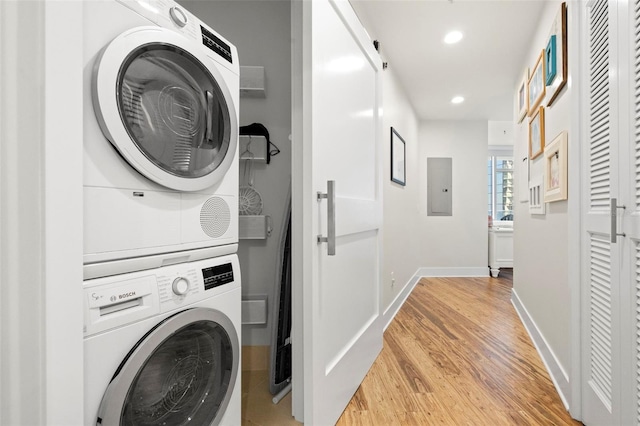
x: 174, y: 110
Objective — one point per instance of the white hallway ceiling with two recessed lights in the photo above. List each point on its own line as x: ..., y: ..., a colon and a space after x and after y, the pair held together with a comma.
x: 484, y: 67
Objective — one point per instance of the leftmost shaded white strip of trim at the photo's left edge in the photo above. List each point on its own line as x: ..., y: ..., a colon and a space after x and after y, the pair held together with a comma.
x: 22, y: 322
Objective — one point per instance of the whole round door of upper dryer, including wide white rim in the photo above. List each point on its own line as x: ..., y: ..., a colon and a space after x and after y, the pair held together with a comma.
x: 165, y: 106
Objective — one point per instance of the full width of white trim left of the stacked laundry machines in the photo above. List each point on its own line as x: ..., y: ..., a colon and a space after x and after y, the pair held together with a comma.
x: 41, y: 191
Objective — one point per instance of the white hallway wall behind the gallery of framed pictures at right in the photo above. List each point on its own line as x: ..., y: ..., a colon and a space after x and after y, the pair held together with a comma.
x: 541, y: 253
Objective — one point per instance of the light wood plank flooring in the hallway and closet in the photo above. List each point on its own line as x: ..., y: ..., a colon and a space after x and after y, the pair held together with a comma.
x: 455, y: 354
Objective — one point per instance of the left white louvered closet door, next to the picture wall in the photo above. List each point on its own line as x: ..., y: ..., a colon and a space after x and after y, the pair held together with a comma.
x: 601, y: 303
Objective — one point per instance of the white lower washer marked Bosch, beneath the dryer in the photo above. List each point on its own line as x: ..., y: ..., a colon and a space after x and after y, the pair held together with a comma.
x: 163, y: 346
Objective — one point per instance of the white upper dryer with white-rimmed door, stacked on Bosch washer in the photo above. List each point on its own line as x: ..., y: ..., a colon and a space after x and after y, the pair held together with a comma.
x: 160, y: 137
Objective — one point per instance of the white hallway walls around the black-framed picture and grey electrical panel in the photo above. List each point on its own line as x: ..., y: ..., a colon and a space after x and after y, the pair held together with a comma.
x: 413, y: 242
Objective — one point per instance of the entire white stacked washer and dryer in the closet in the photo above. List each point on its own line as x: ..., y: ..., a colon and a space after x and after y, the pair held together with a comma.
x: 161, y: 275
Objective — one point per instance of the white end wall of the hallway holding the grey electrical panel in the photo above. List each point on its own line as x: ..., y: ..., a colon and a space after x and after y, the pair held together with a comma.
x: 458, y: 243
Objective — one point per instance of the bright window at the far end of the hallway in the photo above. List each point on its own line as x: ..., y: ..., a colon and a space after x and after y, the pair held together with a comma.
x: 500, y: 187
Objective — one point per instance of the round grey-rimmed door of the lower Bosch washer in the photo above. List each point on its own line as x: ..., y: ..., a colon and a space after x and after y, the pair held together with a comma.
x: 182, y: 372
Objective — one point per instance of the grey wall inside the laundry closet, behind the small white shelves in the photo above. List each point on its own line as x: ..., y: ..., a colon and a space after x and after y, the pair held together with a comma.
x: 261, y: 30
